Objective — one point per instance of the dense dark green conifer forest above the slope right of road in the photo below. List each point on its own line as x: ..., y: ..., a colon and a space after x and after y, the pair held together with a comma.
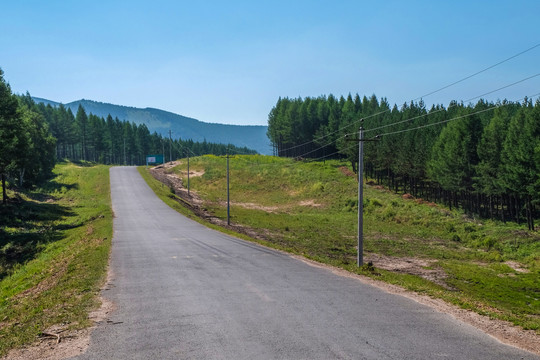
x: 483, y: 157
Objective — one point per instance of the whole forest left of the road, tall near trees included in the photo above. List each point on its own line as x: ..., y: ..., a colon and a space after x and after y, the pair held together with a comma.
x: 33, y: 137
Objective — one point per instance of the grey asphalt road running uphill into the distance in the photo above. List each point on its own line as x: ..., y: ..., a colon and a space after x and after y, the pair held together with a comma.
x: 183, y: 291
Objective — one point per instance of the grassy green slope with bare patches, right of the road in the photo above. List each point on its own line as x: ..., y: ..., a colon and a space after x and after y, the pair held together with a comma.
x: 311, y: 209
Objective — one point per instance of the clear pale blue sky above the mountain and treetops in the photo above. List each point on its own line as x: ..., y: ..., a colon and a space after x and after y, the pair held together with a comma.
x: 229, y: 61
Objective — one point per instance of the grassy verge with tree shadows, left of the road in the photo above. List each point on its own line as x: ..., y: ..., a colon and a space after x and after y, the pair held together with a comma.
x: 54, y: 249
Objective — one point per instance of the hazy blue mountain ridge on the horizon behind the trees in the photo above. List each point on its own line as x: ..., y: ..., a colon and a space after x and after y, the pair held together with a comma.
x: 251, y: 136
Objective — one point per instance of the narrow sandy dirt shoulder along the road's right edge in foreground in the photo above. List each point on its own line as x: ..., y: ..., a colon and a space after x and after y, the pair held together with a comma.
x: 503, y: 331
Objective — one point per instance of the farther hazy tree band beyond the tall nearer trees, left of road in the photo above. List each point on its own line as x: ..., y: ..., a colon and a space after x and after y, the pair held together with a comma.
x: 111, y: 141
